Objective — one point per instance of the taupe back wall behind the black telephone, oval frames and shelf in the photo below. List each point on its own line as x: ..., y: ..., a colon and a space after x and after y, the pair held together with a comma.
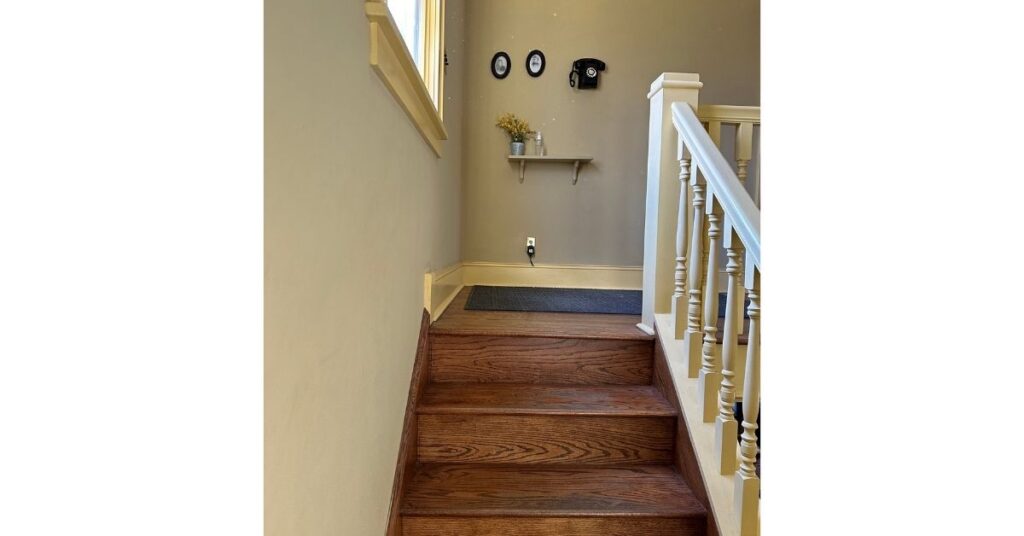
x: 601, y: 221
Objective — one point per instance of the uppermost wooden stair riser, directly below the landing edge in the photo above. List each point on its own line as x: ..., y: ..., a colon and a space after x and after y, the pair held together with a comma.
x: 540, y: 360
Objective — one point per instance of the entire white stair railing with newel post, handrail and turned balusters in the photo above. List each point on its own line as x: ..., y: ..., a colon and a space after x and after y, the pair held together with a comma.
x: 710, y: 209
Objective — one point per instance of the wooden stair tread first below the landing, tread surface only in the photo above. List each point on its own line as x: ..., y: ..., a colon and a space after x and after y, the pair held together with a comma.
x: 532, y: 399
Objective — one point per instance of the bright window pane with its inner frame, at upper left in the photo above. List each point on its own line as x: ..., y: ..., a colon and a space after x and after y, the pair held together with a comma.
x: 421, y: 24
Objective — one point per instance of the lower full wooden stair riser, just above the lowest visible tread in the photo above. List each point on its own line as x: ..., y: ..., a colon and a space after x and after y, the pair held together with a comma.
x: 545, y: 440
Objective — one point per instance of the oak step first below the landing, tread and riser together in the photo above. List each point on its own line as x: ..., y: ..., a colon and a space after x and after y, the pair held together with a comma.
x: 535, y: 425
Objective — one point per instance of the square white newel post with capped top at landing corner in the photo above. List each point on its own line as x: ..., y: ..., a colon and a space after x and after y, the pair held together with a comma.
x: 662, y: 219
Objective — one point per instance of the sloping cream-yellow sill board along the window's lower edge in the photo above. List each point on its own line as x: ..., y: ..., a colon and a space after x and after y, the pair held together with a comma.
x: 394, y: 65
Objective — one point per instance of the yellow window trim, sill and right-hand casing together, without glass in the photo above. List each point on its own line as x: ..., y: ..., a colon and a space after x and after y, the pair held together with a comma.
x: 391, y: 60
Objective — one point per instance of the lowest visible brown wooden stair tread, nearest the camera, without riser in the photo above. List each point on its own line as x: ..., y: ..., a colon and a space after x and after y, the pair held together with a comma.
x: 472, y: 490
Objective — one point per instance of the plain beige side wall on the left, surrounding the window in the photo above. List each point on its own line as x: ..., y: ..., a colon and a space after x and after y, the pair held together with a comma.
x: 357, y: 209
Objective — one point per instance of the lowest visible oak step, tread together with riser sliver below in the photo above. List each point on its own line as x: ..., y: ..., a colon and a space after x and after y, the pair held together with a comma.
x: 464, y: 500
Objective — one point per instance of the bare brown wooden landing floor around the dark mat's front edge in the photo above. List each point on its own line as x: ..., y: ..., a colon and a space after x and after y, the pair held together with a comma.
x: 459, y: 321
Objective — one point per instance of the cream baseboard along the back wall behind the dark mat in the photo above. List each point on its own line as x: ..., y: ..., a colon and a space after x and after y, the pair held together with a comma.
x: 558, y: 276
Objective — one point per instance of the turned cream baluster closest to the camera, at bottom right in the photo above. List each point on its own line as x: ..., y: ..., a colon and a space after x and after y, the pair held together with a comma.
x: 748, y: 484
